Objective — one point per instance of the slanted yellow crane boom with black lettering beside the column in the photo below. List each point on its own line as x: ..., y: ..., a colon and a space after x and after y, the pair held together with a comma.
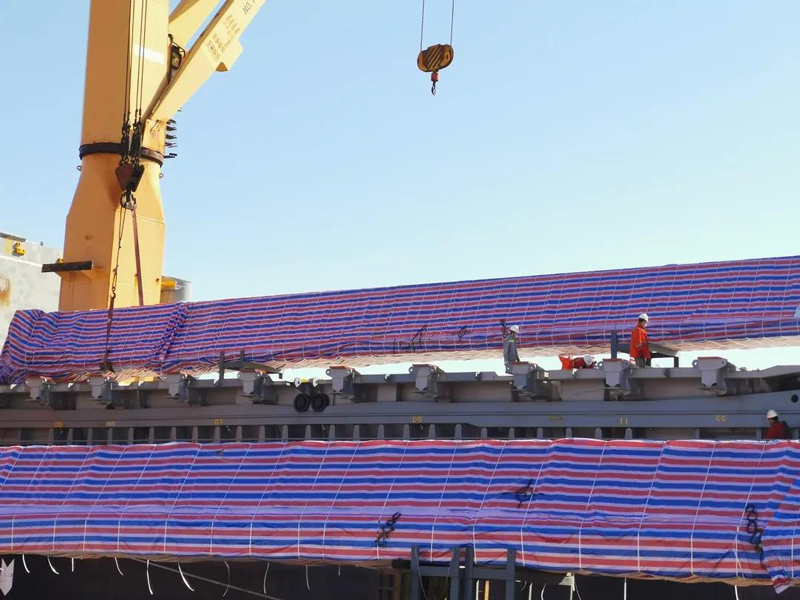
x: 216, y: 49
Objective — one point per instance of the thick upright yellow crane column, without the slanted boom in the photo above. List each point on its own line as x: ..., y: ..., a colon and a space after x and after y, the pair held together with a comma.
x: 127, y: 66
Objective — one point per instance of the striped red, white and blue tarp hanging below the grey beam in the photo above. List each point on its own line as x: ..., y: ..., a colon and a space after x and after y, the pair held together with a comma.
x: 686, y: 510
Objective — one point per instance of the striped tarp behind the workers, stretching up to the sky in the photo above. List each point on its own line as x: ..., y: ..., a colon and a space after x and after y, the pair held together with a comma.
x: 721, y: 305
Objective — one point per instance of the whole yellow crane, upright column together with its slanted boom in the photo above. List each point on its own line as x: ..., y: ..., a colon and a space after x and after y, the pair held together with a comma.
x: 138, y: 69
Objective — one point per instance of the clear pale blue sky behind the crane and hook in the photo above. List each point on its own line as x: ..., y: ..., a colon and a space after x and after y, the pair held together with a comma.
x: 566, y: 136
